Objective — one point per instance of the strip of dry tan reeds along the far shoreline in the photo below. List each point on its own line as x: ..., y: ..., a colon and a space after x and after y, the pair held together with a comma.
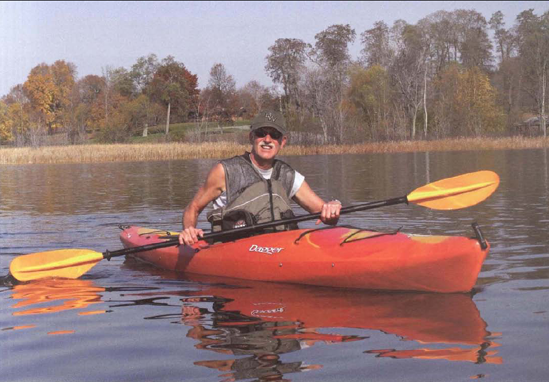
x: 171, y: 151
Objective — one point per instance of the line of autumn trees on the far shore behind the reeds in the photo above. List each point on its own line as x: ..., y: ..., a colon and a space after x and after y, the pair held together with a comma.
x: 451, y: 74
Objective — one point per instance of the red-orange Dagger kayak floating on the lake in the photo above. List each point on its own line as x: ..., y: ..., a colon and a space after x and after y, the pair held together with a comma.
x: 342, y: 257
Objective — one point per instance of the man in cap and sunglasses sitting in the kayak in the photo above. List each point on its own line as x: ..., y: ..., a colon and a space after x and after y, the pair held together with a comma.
x: 255, y: 187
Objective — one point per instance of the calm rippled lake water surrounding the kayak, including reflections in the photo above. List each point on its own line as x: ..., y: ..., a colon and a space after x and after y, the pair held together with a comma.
x: 128, y: 322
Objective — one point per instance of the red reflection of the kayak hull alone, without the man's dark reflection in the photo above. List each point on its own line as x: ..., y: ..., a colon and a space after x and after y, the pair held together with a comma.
x: 422, y: 317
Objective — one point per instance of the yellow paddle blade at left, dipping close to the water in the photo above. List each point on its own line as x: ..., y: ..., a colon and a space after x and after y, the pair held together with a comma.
x: 63, y: 263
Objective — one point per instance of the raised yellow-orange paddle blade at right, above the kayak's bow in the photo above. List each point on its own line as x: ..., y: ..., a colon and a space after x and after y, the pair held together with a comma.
x: 458, y: 192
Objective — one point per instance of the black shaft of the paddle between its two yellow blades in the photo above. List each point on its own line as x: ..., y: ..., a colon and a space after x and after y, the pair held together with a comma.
x: 212, y: 235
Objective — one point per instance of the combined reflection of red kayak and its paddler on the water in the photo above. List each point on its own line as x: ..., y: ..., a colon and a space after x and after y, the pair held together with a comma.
x: 260, y: 321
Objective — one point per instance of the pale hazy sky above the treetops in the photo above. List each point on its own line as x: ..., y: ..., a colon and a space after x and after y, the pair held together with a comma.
x: 93, y: 35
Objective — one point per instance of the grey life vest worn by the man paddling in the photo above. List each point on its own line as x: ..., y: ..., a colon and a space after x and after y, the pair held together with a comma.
x: 252, y: 199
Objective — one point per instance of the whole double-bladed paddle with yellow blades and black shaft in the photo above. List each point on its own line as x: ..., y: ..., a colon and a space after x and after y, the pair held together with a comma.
x: 447, y: 194
